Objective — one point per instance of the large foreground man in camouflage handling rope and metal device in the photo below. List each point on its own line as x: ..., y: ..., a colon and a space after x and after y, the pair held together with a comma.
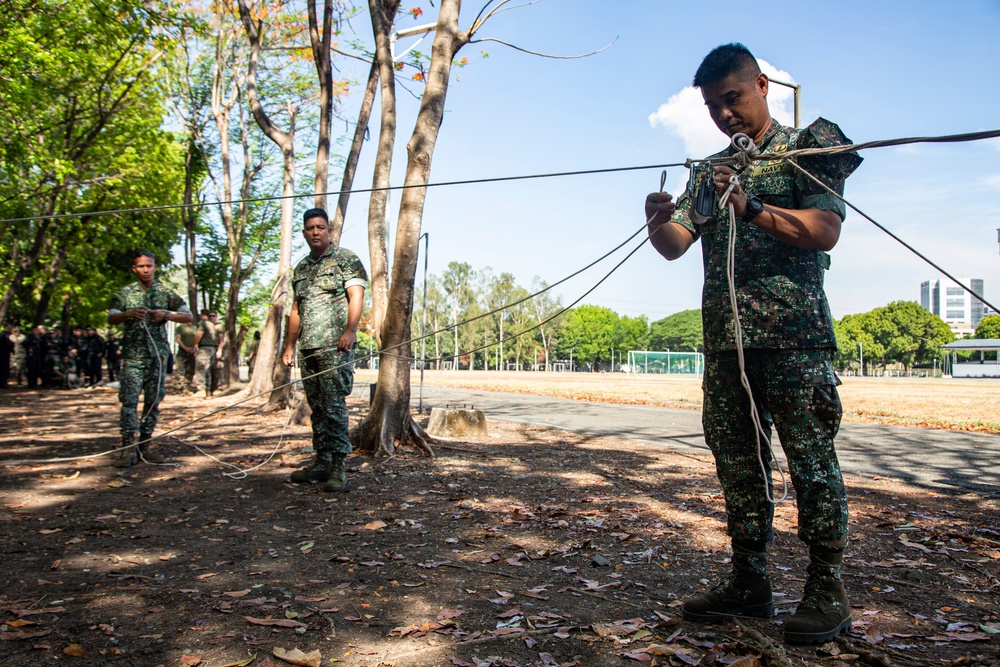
x: 785, y: 222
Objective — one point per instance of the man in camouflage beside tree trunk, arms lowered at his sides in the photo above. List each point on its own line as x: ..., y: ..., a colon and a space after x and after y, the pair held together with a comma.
x: 329, y: 289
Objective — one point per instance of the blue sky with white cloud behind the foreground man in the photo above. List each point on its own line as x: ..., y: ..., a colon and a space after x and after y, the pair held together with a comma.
x: 879, y: 70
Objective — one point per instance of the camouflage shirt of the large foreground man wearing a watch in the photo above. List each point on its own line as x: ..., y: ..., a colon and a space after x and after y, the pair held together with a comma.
x: 779, y: 288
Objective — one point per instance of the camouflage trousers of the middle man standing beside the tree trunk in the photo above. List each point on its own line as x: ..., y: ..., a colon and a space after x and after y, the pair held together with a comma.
x: 327, y: 394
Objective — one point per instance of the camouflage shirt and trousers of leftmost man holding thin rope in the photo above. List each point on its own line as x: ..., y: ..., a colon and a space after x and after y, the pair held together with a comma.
x: 145, y: 349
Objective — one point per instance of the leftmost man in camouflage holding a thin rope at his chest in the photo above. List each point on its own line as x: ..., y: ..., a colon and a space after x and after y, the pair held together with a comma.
x: 143, y: 307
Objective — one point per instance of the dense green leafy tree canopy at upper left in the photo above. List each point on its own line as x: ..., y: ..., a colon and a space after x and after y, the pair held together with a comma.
x: 82, y: 134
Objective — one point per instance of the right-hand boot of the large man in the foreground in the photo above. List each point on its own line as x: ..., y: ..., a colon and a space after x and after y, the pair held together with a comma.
x: 824, y: 611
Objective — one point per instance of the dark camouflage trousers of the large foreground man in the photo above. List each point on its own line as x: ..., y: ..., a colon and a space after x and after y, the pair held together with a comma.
x: 795, y: 391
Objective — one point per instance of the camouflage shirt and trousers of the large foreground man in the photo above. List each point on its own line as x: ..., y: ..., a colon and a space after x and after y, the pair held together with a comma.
x: 788, y: 341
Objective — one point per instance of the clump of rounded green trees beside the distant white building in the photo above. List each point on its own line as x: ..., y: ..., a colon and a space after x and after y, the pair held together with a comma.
x: 902, y: 332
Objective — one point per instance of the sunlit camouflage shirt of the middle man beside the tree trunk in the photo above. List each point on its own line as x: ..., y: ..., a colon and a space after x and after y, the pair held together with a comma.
x: 320, y: 287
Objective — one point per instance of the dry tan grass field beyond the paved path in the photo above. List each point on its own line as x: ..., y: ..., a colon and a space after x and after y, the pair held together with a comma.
x: 971, y: 405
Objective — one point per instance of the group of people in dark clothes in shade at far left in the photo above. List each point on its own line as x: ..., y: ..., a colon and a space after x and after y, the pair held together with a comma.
x: 48, y: 359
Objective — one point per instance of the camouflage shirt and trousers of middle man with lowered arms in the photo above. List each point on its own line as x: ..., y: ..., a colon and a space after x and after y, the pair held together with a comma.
x: 320, y: 285
